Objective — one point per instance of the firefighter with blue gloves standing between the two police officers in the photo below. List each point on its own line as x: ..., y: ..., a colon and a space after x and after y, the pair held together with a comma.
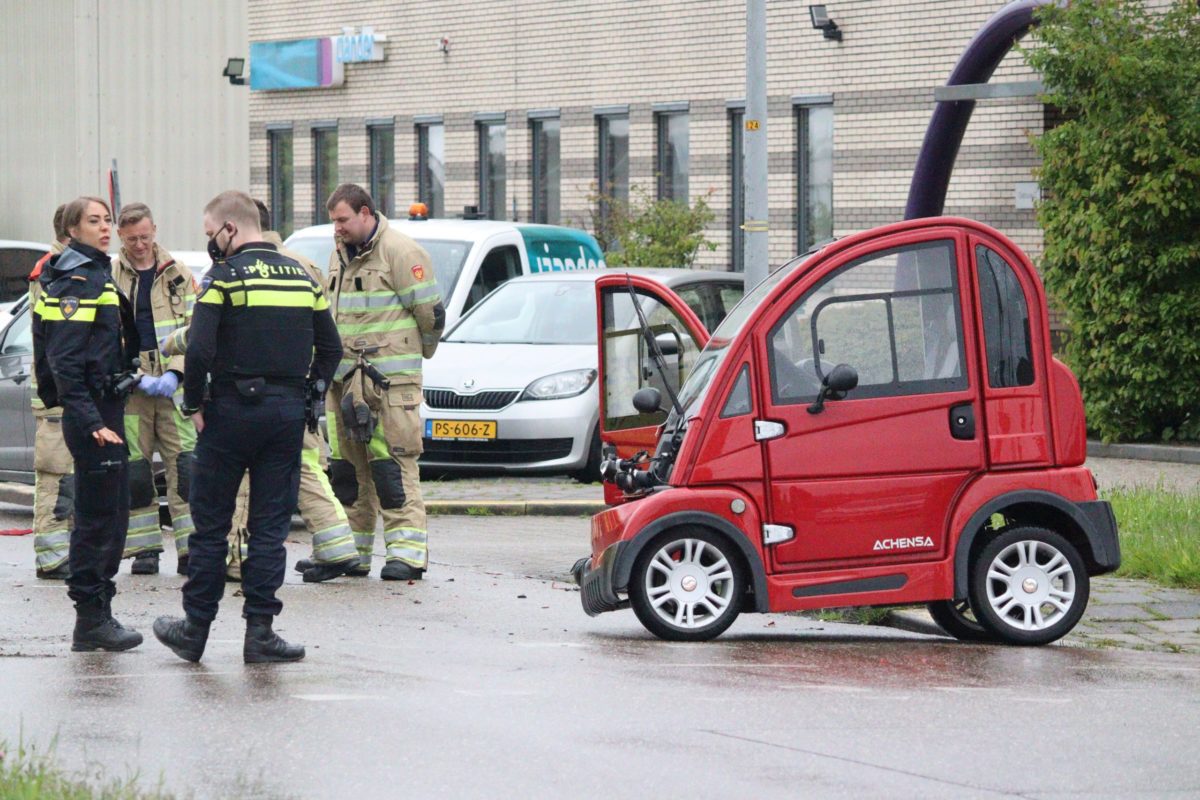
x: 164, y: 293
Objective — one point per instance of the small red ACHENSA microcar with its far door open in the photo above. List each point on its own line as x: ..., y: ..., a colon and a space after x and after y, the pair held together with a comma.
x: 879, y: 423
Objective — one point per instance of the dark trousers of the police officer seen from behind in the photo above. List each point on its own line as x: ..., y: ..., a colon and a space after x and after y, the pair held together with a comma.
x: 266, y: 438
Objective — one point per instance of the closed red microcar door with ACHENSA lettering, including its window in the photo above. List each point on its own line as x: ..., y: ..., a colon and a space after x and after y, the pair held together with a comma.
x: 872, y: 479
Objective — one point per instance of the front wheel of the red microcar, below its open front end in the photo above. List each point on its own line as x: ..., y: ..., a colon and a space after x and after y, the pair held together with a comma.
x: 658, y: 585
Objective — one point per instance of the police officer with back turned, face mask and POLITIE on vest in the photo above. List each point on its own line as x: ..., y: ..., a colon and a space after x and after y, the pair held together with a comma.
x: 257, y: 323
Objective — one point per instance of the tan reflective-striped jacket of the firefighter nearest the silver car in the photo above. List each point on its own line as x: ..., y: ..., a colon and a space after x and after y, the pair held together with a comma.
x: 387, y: 297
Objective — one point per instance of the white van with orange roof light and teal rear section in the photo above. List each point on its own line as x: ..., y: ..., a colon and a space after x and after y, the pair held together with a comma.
x: 472, y: 257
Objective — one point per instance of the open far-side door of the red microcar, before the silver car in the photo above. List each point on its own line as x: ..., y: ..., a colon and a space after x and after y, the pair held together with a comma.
x: 626, y: 363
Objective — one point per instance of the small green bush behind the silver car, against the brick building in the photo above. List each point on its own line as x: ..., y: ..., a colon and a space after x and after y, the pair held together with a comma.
x: 651, y: 233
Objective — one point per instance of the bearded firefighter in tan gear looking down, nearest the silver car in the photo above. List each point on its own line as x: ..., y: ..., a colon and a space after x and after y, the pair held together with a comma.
x: 386, y: 303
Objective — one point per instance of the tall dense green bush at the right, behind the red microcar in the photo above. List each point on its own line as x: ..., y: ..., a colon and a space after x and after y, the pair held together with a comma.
x: 1121, y: 215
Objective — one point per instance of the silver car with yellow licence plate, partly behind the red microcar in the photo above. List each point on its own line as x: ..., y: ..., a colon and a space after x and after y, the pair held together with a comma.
x: 513, y: 387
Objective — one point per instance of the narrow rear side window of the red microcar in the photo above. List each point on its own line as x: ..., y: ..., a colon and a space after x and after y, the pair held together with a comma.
x: 1006, y: 322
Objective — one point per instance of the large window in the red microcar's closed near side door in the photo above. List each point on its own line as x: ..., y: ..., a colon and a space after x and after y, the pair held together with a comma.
x: 893, y: 316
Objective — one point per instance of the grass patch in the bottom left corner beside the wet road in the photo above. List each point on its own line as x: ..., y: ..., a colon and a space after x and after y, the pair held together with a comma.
x: 27, y: 774
